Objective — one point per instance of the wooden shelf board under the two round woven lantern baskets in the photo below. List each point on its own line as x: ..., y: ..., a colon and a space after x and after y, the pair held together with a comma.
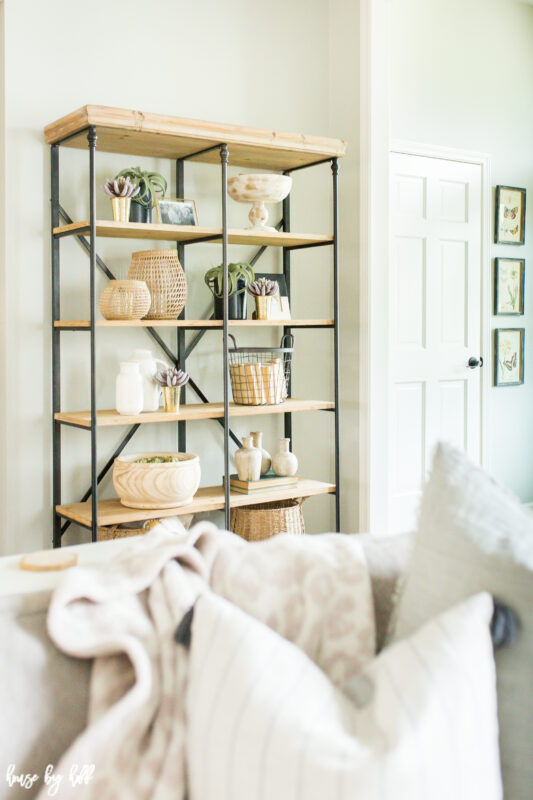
x: 195, y: 323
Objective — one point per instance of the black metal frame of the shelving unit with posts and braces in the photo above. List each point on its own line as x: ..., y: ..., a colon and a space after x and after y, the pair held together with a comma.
x: 183, y: 351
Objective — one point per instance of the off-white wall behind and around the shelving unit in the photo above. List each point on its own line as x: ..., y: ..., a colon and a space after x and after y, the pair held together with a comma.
x: 232, y: 62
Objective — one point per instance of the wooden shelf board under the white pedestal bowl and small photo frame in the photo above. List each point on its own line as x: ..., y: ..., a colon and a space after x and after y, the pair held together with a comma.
x: 179, y: 233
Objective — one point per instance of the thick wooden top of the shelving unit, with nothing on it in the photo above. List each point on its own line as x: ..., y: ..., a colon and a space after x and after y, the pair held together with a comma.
x: 161, y: 136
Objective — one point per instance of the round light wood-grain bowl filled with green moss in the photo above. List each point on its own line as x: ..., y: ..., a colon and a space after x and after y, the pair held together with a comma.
x: 163, y: 485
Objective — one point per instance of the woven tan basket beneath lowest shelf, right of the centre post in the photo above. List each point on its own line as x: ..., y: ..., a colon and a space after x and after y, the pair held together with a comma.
x: 264, y: 520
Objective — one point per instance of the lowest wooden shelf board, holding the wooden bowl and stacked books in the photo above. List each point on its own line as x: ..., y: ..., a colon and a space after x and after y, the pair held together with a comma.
x: 209, y: 498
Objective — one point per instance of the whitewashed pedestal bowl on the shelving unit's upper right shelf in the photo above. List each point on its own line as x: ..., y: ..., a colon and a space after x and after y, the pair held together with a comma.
x: 258, y: 190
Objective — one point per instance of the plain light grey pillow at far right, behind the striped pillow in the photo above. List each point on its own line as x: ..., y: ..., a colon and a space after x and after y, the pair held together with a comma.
x: 473, y: 535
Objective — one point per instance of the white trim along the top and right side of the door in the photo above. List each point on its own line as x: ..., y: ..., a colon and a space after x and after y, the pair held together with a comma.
x: 482, y: 160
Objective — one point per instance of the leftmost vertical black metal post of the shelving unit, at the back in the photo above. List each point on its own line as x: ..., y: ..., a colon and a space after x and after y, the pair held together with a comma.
x: 56, y: 346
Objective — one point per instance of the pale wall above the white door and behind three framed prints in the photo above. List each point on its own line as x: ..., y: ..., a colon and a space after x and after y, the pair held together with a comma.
x: 461, y: 77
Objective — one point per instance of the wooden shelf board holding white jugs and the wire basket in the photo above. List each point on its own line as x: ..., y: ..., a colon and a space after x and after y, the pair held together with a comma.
x: 190, y: 411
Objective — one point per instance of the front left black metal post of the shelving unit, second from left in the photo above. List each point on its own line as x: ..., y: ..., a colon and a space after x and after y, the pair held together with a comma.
x: 92, y: 138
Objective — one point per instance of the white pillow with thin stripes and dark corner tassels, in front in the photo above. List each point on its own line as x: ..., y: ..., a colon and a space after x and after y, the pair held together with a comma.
x: 265, y: 723
